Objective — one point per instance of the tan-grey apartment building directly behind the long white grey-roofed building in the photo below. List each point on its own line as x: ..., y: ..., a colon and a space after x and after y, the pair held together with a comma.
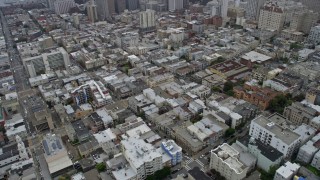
x: 299, y: 113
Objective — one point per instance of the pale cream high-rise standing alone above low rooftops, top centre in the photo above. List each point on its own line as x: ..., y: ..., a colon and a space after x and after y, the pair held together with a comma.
x: 147, y: 20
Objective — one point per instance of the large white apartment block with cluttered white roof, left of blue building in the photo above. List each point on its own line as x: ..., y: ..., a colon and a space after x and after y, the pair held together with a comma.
x: 142, y: 157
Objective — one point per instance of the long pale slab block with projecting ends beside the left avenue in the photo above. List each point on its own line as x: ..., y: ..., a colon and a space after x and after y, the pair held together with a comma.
x: 54, y: 60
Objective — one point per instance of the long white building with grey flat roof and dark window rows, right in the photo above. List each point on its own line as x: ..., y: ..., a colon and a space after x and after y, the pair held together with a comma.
x: 284, y: 140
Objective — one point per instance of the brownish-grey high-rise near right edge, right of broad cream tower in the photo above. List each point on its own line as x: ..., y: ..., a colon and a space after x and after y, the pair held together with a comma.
x: 303, y: 21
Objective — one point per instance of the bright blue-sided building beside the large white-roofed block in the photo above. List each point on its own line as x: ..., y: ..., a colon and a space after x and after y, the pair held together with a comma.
x: 173, y: 150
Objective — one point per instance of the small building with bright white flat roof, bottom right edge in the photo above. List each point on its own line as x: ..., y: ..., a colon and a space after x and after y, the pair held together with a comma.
x: 287, y: 171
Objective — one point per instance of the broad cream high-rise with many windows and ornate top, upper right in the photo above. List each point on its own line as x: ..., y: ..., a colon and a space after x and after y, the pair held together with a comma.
x: 271, y: 17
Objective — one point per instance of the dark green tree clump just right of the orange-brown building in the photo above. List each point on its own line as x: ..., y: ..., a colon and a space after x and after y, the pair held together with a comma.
x: 278, y: 103
